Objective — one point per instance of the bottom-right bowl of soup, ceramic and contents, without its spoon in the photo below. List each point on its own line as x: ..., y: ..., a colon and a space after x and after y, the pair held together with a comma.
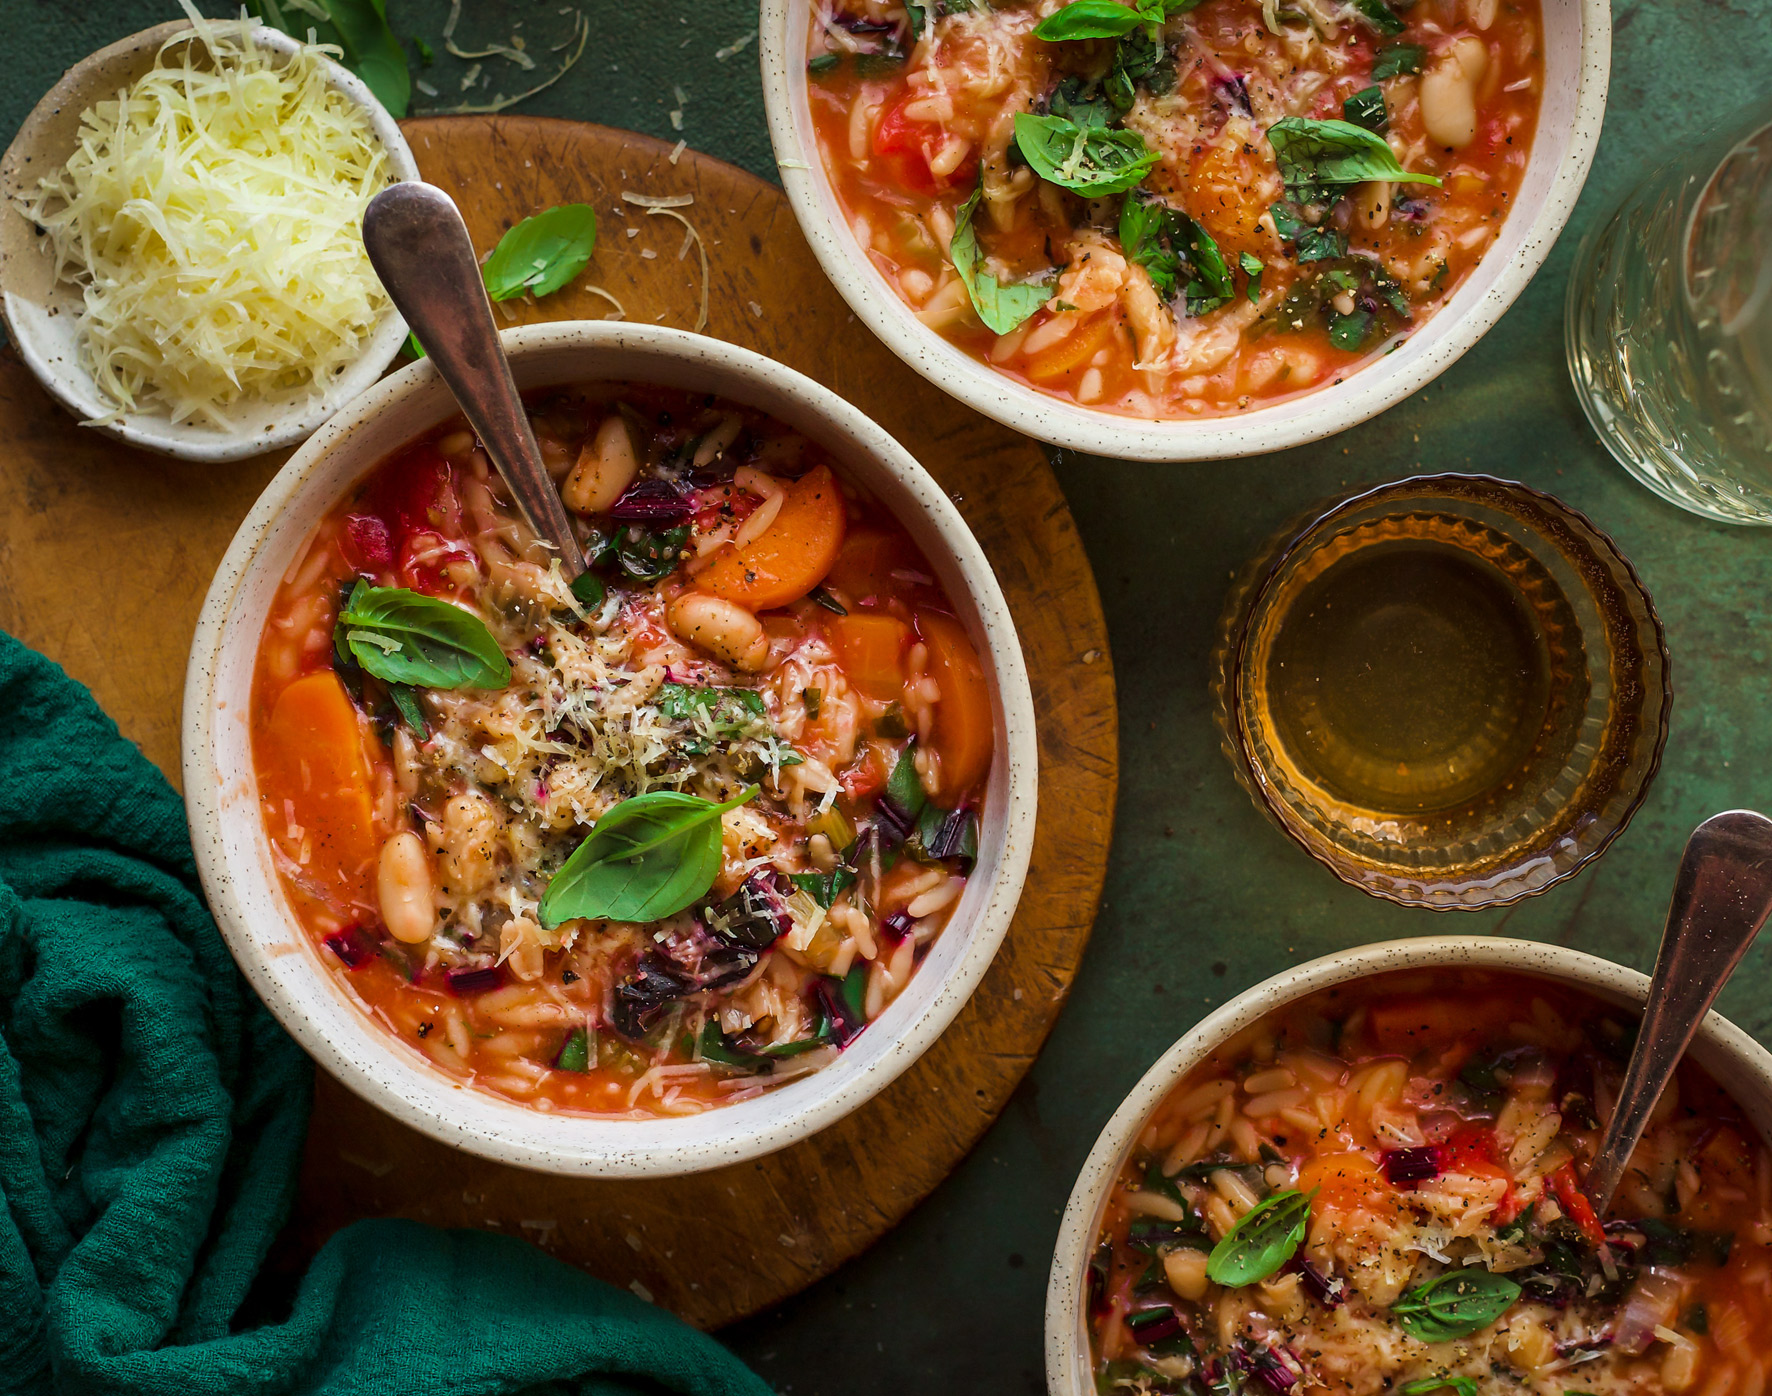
x: 1367, y: 1175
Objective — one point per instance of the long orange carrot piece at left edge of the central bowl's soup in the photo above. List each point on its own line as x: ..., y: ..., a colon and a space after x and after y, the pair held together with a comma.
x: 313, y: 757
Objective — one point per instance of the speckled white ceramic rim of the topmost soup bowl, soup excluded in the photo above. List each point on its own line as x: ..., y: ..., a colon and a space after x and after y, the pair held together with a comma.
x: 1578, y: 63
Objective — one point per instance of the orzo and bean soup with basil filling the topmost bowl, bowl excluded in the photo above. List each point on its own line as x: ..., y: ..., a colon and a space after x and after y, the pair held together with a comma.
x: 1174, y: 208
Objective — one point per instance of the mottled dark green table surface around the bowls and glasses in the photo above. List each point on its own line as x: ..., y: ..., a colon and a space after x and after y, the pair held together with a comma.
x: 1204, y: 899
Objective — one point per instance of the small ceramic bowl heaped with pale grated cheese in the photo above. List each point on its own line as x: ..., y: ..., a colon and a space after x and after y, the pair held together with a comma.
x: 182, y: 256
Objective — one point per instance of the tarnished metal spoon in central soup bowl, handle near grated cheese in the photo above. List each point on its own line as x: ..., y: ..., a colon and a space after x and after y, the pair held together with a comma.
x: 421, y: 251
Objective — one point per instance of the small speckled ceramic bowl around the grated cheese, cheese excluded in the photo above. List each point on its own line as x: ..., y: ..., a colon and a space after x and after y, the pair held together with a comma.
x: 42, y: 314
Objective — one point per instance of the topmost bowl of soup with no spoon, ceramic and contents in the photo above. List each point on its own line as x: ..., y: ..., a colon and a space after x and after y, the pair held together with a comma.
x: 1183, y: 231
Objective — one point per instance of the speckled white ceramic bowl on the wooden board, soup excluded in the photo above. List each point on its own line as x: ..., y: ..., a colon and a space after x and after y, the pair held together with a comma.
x: 283, y: 961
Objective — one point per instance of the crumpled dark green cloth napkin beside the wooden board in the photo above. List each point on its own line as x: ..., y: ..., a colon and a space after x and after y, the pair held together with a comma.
x: 152, y: 1121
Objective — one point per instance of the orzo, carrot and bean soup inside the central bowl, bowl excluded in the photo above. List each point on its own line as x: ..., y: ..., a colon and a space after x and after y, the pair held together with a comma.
x: 644, y: 844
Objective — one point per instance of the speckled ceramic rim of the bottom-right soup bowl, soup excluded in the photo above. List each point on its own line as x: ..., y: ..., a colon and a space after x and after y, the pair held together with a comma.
x: 1739, y: 1064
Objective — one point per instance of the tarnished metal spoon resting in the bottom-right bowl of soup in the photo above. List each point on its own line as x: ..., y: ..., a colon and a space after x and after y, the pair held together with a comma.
x: 1720, y: 903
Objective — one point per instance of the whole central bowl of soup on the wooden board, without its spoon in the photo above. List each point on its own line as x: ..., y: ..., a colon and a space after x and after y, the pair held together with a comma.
x: 632, y: 874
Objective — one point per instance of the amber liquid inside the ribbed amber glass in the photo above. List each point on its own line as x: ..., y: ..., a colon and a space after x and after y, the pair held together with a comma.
x: 1413, y: 676
